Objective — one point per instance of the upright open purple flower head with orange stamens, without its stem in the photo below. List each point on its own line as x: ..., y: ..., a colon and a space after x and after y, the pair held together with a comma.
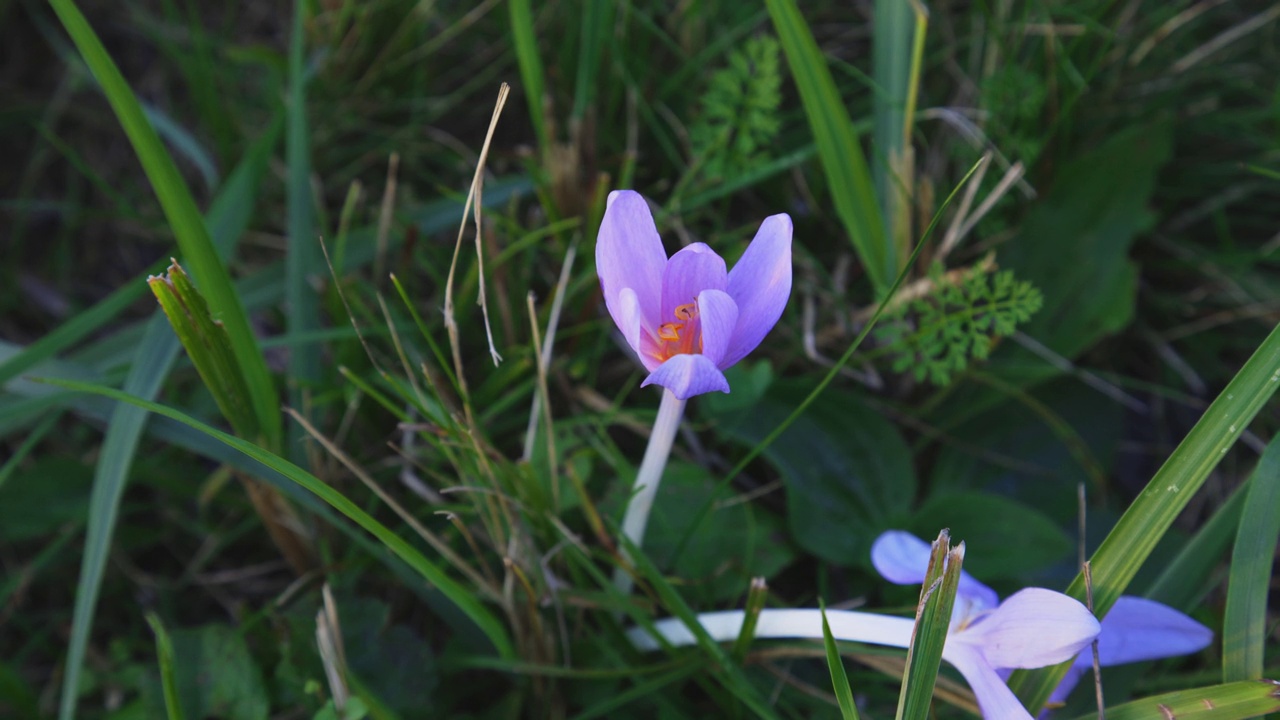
x: 687, y: 317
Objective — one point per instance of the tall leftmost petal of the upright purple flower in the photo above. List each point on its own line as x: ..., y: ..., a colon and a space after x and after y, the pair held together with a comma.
x: 629, y: 254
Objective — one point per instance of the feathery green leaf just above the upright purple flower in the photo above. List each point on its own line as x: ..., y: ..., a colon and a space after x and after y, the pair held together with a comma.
x: 739, y: 119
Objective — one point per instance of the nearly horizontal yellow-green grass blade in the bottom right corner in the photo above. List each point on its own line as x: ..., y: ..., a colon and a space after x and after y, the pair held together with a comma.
x: 1232, y: 701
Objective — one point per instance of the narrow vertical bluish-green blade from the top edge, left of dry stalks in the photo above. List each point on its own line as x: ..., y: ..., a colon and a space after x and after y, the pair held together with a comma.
x: 303, y: 257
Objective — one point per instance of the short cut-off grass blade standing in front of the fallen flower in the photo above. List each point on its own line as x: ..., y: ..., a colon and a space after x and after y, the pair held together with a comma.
x: 932, y: 622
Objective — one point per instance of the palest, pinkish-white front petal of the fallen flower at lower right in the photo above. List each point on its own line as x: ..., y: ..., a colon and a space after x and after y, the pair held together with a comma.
x: 1032, y: 628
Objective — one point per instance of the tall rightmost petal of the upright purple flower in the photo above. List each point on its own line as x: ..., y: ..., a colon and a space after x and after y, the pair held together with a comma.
x: 761, y: 285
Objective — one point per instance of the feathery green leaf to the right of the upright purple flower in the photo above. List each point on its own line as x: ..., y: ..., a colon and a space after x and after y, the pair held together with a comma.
x: 939, y: 335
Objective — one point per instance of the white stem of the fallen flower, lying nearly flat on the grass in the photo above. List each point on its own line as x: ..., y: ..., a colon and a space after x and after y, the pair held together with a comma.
x: 801, y: 625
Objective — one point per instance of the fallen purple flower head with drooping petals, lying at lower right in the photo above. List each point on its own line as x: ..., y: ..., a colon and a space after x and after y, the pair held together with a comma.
x: 1136, y: 628
